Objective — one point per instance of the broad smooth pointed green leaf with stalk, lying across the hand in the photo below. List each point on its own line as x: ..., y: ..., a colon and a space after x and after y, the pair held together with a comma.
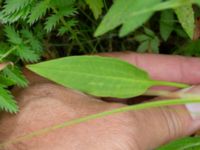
x: 98, y: 76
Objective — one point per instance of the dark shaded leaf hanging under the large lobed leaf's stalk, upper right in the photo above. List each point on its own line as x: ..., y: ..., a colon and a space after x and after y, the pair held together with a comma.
x: 166, y: 24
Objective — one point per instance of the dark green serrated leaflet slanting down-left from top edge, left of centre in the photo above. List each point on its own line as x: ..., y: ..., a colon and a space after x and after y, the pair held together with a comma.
x: 38, y: 11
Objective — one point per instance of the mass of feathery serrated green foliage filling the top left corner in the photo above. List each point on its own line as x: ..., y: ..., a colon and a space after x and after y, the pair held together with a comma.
x: 32, y: 11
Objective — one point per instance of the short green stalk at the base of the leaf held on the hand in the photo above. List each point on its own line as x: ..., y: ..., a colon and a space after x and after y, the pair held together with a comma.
x: 174, y: 84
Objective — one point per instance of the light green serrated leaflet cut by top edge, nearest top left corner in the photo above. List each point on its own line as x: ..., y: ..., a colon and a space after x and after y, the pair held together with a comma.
x: 12, y: 6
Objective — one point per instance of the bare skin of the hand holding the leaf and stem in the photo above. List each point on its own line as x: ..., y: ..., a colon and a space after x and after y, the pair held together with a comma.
x: 44, y: 104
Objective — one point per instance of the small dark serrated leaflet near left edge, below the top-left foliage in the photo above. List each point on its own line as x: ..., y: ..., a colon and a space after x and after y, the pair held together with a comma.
x: 12, y: 35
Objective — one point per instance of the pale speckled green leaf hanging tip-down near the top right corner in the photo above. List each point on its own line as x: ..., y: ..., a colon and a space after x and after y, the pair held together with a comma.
x: 185, y: 15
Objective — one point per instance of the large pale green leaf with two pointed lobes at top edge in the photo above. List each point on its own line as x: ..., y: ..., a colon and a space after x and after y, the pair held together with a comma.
x: 125, y: 12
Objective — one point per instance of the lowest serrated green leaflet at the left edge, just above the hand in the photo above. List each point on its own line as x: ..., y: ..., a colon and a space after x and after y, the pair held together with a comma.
x: 7, y: 102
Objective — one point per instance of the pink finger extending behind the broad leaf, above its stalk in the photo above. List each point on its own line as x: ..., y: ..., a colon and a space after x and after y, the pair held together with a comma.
x: 164, y: 67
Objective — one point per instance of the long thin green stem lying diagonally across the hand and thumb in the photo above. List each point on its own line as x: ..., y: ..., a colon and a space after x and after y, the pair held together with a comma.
x: 100, y: 115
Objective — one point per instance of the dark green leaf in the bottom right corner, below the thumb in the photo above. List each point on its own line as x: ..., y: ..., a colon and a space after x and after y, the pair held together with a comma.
x: 189, y: 143
